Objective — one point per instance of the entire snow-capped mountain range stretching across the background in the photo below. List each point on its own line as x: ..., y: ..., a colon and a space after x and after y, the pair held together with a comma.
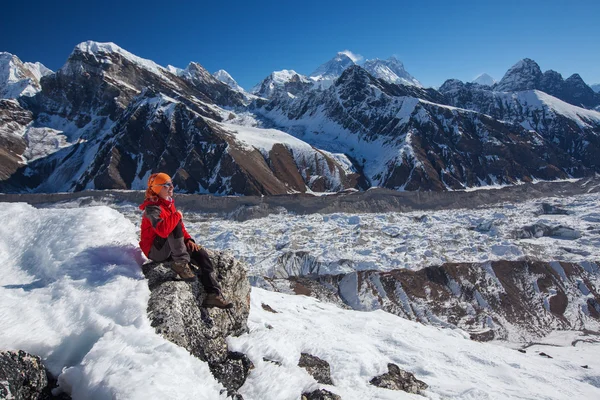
x: 107, y: 119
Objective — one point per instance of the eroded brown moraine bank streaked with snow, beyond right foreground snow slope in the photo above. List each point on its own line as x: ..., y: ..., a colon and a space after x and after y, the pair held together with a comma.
x: 512, y: 300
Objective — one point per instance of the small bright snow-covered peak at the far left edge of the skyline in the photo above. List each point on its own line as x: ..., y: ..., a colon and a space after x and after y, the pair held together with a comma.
x: 18, y: 78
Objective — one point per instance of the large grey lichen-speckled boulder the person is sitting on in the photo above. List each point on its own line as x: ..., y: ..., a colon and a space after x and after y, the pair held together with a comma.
x: 175, y: 311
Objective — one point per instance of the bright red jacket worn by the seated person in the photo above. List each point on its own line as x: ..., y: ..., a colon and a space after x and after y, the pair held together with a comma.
x: 160, y: 218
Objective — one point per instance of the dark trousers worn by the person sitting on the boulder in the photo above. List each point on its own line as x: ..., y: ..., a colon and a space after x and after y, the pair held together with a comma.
x: 173, y: 248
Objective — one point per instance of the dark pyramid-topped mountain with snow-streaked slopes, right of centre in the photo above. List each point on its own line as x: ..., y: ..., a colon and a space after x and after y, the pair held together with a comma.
x: 420, y: 143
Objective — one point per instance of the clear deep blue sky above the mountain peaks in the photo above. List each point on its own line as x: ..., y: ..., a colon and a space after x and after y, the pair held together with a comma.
x: 436, y: 40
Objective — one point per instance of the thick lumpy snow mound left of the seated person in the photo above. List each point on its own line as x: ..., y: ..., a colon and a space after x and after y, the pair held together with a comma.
x: 72, y: 292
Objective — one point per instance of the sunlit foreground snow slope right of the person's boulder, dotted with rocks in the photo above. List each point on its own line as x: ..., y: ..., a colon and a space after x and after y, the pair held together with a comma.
x: 358, y: 346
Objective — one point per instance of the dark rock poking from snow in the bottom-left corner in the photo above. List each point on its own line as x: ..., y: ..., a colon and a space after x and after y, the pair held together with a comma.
x: 24, y: 377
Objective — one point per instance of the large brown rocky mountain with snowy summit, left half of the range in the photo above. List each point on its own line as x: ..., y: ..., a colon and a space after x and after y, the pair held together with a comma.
x: 107, y: 118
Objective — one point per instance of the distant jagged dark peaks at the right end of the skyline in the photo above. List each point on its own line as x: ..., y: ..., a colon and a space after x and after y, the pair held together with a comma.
x: 527, y: 75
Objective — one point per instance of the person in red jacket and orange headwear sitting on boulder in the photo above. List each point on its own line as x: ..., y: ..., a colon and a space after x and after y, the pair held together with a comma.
x: 164, y: 238
